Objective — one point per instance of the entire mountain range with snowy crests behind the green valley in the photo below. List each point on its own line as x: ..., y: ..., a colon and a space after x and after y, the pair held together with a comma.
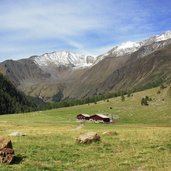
x: 64, y: 75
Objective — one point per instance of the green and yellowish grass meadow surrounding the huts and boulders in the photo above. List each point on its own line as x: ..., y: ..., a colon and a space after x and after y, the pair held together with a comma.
x: 143, y: 141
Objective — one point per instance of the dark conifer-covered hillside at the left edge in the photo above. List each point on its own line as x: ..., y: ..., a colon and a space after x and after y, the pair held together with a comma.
x: 11, y: 100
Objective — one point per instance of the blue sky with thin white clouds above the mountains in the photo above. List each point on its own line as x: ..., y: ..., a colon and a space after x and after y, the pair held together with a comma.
x: 34, y: 27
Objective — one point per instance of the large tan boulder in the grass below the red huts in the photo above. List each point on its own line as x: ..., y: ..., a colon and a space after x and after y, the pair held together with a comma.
x: 88, y: 138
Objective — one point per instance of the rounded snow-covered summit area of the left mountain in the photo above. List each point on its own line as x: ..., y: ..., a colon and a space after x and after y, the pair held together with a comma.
x: 64, y: 58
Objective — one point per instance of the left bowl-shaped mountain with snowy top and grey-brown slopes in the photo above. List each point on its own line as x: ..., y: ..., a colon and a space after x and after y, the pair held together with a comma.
x: 45, y: 75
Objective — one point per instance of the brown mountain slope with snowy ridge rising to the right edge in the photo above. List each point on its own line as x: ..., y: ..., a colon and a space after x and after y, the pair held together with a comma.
x: 128, y: 66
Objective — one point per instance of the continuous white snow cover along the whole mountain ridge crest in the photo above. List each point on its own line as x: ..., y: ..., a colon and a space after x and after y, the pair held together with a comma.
x: 74, y: 60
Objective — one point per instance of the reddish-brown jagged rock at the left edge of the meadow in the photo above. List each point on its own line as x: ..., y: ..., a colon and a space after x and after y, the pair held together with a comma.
x: 6, y: 151
